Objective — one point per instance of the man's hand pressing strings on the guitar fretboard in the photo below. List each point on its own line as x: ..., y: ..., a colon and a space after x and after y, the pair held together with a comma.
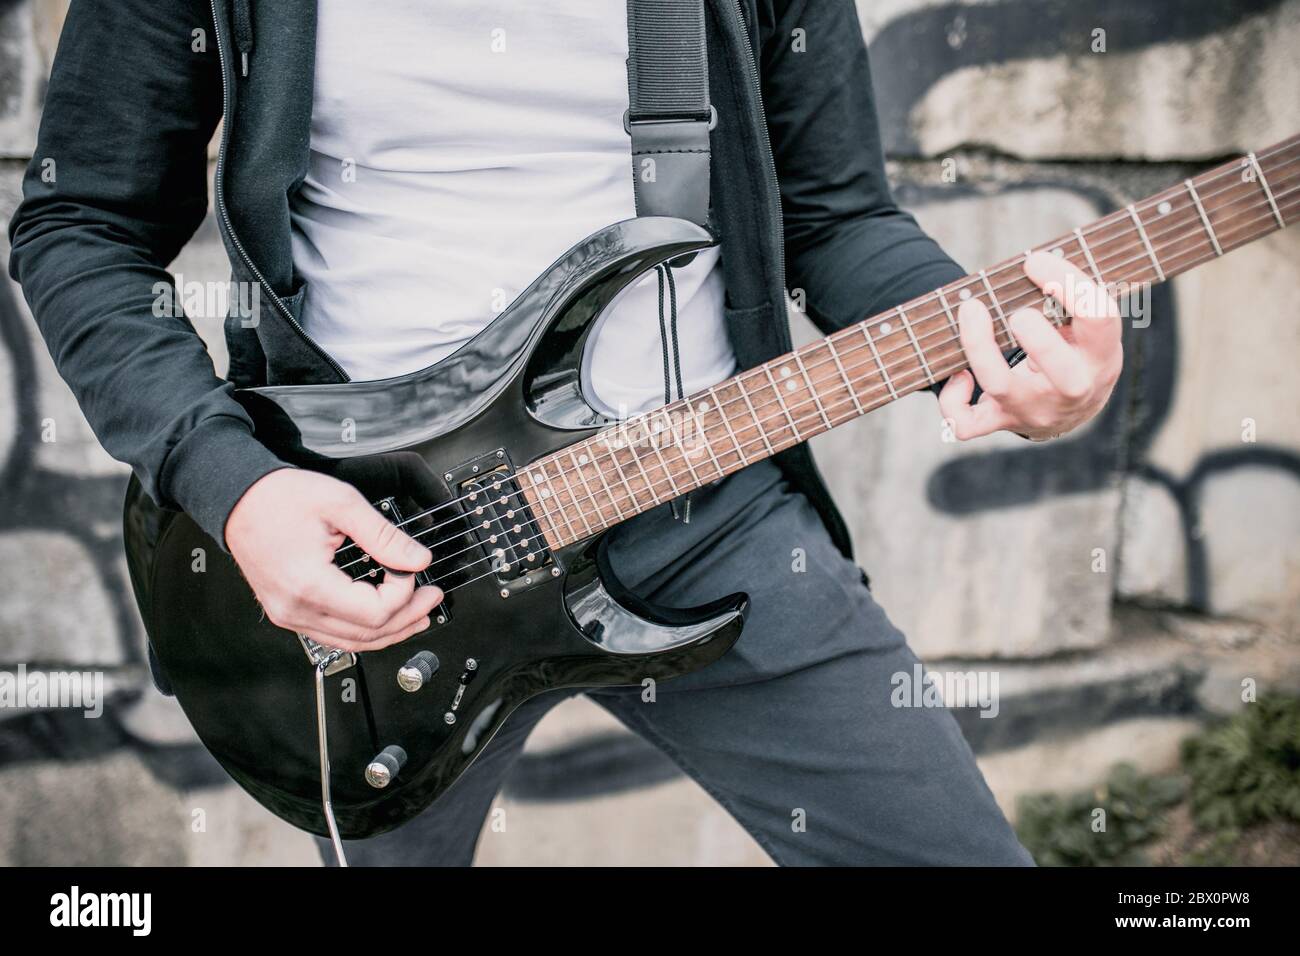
x: 1069, y: 373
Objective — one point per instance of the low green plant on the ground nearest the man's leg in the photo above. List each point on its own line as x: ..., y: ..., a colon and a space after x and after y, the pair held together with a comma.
x: 1102, y: 828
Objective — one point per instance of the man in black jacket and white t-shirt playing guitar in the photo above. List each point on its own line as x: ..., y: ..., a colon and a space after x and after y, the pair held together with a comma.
x: 388, y: 180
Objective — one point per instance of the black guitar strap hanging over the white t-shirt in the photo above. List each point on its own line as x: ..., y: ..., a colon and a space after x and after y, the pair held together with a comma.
x: 669, y: 115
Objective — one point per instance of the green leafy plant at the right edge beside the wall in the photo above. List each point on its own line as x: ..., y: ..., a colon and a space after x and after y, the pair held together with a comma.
x: 1247, y: 769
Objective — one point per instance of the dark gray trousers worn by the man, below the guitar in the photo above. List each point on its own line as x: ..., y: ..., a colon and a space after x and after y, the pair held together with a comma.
x: 794, y: 732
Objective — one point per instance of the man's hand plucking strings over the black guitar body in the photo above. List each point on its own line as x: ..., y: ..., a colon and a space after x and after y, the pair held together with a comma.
x: 284, y: 534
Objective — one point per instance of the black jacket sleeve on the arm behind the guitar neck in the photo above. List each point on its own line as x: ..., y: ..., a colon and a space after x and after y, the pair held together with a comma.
x: 848, y: 246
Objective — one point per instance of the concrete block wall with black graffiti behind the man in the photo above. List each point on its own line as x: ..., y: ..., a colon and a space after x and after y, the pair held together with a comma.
x: 986, y: 553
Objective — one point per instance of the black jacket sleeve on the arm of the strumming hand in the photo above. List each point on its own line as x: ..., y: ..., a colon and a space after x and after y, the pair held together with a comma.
x: 116, y: 188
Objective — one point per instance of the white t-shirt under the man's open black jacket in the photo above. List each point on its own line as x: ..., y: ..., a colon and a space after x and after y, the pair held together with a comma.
x: 458, y: 149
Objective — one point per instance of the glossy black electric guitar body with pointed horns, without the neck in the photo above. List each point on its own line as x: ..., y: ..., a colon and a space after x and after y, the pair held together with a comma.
x: 439, y: 451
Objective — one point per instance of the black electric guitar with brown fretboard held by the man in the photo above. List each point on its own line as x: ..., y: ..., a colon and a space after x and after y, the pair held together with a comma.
x: 495, y: 460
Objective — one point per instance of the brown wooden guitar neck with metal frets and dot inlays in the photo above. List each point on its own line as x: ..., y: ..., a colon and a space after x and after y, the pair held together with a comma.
x: 664, y: 455
